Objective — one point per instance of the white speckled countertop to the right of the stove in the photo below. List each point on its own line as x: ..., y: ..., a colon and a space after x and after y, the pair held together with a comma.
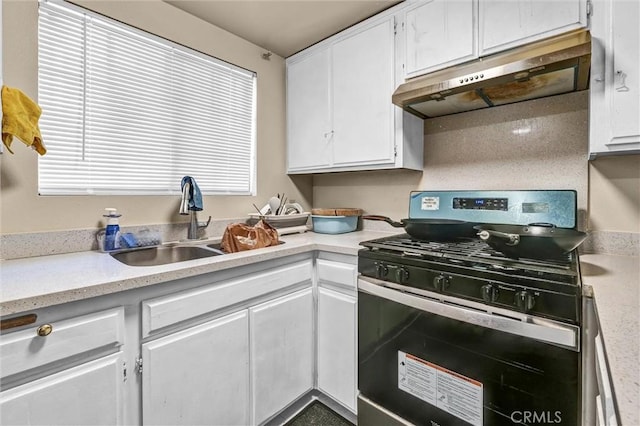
x: 616, y: 286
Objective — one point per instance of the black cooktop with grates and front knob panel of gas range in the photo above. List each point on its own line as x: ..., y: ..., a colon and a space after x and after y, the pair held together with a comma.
x: 471, y: 269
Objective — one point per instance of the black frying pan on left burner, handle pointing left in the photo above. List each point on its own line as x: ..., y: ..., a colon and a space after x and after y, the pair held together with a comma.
x: 431, y: 229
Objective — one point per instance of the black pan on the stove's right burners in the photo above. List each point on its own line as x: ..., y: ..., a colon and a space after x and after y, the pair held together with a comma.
x: 536, y: 241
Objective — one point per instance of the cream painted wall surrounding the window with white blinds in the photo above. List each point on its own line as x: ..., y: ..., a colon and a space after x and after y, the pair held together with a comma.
x: 23, y: 210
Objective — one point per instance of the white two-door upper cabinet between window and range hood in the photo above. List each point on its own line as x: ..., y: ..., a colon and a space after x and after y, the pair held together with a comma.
x: 339, y: 111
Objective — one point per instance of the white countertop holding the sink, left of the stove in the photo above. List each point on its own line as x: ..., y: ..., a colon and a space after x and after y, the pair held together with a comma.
x: 37, y: 282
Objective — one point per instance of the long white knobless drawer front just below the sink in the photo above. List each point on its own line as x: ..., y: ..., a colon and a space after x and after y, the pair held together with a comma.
x: 167, y: 310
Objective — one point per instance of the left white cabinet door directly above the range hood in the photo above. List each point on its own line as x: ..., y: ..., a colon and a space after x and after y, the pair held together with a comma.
x: 439, y: 33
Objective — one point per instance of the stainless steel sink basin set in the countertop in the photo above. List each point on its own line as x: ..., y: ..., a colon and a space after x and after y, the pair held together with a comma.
x: 162, y: 255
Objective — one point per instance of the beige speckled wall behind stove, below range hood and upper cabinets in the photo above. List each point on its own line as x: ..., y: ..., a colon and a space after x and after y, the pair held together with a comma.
x: 541, y: 144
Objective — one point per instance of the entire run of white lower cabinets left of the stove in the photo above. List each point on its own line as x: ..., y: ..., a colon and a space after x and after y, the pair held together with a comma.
x: 203, y: 350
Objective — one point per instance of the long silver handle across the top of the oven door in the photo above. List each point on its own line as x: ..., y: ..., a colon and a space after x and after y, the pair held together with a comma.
x: 553, y: 332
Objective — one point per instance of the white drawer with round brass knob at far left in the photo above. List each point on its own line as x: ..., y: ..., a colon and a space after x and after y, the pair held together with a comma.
x: 25, y: 349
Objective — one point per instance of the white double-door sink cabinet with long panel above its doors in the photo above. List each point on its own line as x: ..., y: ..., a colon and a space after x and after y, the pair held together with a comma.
x: 231, y: 352
